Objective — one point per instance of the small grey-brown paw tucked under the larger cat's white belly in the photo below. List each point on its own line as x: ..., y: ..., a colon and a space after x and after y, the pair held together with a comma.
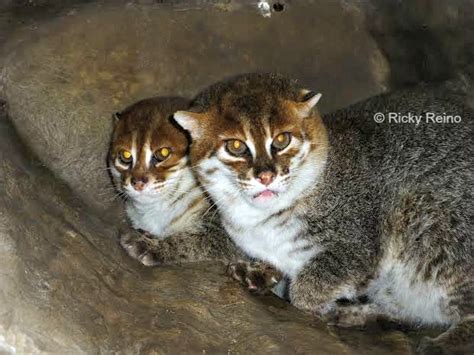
x: 351, y: 316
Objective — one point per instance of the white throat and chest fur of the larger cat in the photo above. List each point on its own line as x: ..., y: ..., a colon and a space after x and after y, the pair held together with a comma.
x: 282, y: 240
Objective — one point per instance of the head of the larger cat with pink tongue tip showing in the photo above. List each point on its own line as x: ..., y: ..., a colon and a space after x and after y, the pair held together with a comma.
x: 256, y: 137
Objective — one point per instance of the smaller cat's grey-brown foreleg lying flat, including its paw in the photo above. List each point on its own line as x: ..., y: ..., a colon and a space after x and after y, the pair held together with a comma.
x: 176, y: 248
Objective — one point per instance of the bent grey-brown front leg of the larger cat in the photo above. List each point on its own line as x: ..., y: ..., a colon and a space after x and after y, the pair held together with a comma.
x: 329, y: 276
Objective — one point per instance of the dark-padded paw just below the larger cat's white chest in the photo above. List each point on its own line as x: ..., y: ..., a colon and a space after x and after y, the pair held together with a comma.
x: 258, y: 277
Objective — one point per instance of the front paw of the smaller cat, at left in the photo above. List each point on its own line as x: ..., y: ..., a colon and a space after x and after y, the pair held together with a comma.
x: 141, y: 247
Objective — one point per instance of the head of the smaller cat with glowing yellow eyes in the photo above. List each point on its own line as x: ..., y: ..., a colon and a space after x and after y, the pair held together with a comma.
x: 147, y: 151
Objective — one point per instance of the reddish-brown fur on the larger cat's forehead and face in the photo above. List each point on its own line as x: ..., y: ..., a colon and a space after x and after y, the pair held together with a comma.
x: 272, y: 104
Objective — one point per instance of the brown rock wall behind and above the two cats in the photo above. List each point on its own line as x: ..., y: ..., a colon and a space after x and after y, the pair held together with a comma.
x: 63, y: 78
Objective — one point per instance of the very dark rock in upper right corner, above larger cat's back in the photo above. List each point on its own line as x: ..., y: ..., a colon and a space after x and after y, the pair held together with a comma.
x: 424, y: 40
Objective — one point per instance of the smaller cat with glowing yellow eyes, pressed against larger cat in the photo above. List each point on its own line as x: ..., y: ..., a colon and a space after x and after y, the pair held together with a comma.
x: 149, y: 167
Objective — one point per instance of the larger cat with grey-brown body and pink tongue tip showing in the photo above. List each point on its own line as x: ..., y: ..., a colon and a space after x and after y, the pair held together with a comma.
x: 344, y: 207
